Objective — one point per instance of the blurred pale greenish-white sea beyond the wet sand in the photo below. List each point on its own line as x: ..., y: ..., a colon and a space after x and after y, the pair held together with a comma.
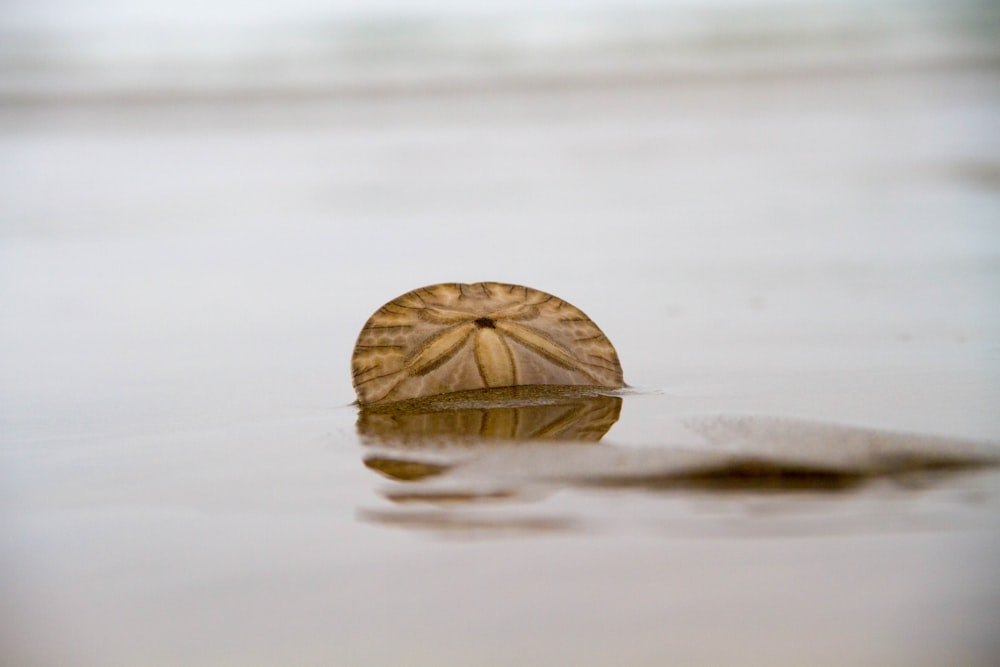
x: 49, y: 52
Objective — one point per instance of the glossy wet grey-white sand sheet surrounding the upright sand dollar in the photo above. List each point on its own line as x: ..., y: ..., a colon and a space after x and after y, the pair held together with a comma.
x: 799, y: 276
